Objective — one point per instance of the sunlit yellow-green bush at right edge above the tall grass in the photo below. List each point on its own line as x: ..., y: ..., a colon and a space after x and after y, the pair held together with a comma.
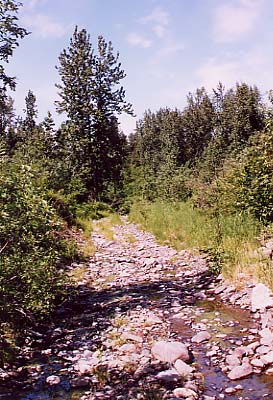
x: 248, y: 183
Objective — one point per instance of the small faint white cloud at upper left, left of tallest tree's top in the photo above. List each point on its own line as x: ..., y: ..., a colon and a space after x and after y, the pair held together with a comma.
x: 43, y: 26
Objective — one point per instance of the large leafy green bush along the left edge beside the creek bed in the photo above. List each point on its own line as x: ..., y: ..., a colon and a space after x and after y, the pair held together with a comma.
x: 31, y: 245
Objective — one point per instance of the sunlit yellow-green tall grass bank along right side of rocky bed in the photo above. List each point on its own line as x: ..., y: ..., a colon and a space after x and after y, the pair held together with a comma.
x: 231, y: 241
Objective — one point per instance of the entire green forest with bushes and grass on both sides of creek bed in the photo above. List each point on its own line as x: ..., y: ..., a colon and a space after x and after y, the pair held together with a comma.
x: 200, y: 177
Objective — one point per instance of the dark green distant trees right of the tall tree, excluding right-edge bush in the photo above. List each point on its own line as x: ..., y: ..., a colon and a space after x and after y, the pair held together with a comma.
x: 172, y: 147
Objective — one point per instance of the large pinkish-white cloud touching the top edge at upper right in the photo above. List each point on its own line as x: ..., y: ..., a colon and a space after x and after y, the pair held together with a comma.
x: 235, y: 20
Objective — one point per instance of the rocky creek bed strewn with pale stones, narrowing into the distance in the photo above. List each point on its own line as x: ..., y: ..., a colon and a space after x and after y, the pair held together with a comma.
x: 150, y: 323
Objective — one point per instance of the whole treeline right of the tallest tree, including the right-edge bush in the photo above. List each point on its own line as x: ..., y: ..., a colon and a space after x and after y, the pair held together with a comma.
x: 220, y: 146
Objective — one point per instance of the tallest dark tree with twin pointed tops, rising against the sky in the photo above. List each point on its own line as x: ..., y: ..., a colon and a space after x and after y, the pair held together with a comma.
x: 92, y: 97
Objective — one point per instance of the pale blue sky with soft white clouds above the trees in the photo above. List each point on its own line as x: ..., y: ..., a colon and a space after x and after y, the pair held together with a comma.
x: 167, y: 48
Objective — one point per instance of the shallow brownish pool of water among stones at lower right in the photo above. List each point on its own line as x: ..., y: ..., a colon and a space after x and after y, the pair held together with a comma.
x: 255, y: 387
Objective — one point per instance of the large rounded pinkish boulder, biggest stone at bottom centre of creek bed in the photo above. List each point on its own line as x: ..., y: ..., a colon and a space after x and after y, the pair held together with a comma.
x: 170, y: 351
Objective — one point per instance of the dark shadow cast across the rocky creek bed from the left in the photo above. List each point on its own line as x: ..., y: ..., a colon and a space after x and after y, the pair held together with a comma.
x: 83, y: 319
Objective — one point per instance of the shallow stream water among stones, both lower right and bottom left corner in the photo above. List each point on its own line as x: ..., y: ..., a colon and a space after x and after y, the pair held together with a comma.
x: 218, y: 318
